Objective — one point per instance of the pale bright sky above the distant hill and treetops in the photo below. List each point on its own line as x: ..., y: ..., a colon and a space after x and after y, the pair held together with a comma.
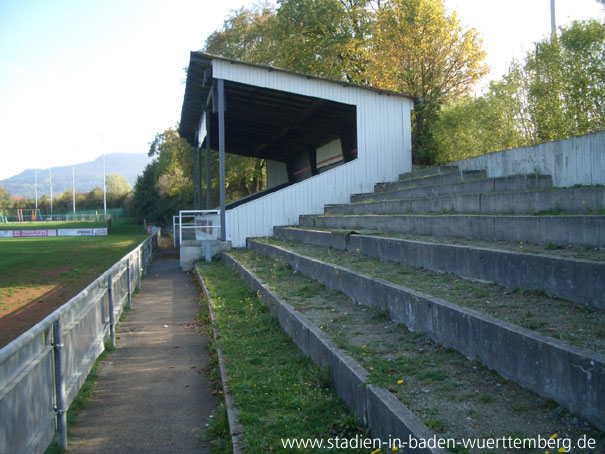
x: 79, y: 78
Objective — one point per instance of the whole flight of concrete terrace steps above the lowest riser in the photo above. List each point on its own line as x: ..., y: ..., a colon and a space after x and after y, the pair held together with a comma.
x: 499, y: 281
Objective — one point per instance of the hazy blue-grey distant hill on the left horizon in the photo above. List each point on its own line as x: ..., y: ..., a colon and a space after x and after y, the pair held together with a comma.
x: 88, y: 175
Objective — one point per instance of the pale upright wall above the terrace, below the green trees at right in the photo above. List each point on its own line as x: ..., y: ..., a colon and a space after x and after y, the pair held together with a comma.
x: 579, y: 160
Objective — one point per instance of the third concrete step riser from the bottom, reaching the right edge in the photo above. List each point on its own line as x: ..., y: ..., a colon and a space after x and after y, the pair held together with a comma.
x: 580, y: 281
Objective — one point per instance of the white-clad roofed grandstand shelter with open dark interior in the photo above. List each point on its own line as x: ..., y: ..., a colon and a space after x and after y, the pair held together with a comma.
x: 322, y: 139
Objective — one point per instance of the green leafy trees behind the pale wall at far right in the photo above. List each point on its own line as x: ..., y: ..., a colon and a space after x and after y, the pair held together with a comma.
x: 557, y: 92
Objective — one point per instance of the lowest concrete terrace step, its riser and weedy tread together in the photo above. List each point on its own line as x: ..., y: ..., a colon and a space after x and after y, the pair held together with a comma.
x: 364, y: 353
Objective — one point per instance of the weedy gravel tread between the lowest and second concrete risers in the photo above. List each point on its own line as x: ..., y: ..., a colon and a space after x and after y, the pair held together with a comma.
x: 452, y: 395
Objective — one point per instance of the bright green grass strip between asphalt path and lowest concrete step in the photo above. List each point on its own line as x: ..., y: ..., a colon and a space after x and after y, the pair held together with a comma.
x: 278, y: 391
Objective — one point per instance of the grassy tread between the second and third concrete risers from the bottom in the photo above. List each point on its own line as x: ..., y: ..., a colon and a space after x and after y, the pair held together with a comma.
x: 580, y: 325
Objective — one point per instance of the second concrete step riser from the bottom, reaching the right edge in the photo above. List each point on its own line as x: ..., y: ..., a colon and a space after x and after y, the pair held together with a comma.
x: 546, y: 366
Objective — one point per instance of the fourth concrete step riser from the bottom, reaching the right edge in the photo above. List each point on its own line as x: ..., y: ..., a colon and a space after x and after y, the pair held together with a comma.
x: 583, y: 231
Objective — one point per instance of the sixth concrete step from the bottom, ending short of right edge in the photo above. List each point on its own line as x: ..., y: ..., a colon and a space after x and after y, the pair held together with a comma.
x: 499, y: 184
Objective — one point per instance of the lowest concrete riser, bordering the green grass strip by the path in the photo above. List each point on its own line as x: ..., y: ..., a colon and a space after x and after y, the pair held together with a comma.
x: 376, y: 408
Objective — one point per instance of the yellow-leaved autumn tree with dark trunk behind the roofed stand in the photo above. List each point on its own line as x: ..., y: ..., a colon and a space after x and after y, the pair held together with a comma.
x: 420, y: 50
